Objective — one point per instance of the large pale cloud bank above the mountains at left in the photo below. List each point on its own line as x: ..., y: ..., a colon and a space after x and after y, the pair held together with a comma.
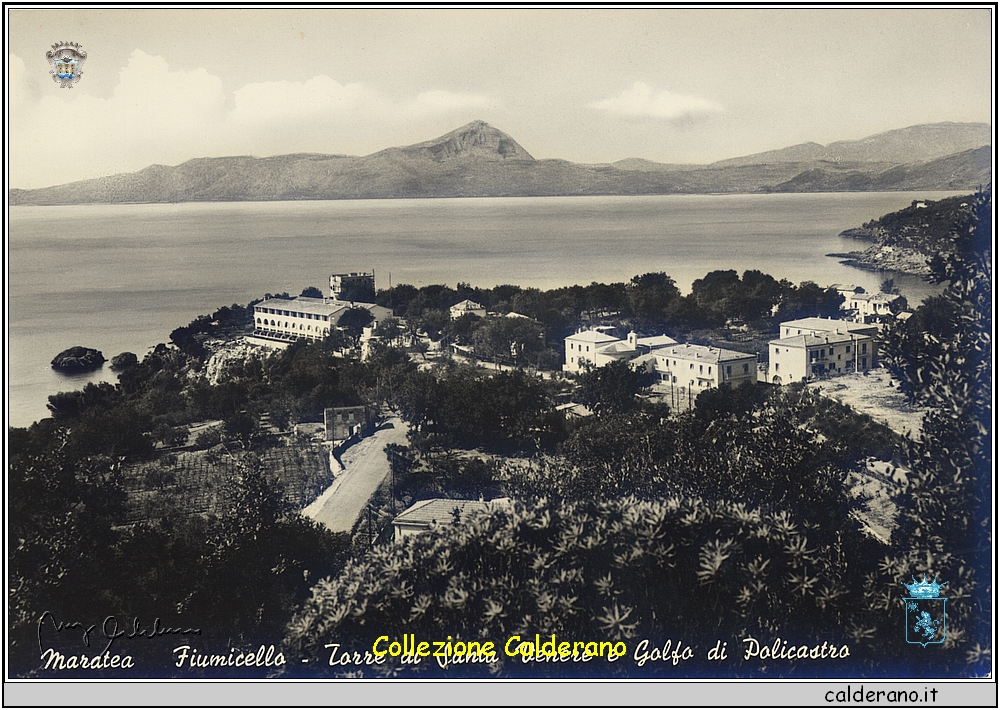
x: 157, y: 114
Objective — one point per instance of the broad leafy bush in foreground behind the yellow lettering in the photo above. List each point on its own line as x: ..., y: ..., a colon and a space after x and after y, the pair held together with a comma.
x: 603, y: 570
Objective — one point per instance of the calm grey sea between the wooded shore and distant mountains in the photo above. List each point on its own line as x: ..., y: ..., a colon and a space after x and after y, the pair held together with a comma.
x: 121, y: 277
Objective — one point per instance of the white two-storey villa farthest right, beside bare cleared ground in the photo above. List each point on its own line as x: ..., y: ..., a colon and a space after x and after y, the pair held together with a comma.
x: 811, y: 347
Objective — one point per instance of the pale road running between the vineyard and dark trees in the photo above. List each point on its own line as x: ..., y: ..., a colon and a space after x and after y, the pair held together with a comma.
x: 342, y: 503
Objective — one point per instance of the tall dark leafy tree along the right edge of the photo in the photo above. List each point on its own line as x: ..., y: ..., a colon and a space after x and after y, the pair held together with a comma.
x: 944, y: 526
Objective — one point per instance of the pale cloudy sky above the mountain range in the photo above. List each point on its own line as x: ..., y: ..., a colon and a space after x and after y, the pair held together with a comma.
x: 587, y: 85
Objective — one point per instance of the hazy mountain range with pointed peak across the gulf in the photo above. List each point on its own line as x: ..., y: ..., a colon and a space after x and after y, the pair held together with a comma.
x: 478, y: 160
